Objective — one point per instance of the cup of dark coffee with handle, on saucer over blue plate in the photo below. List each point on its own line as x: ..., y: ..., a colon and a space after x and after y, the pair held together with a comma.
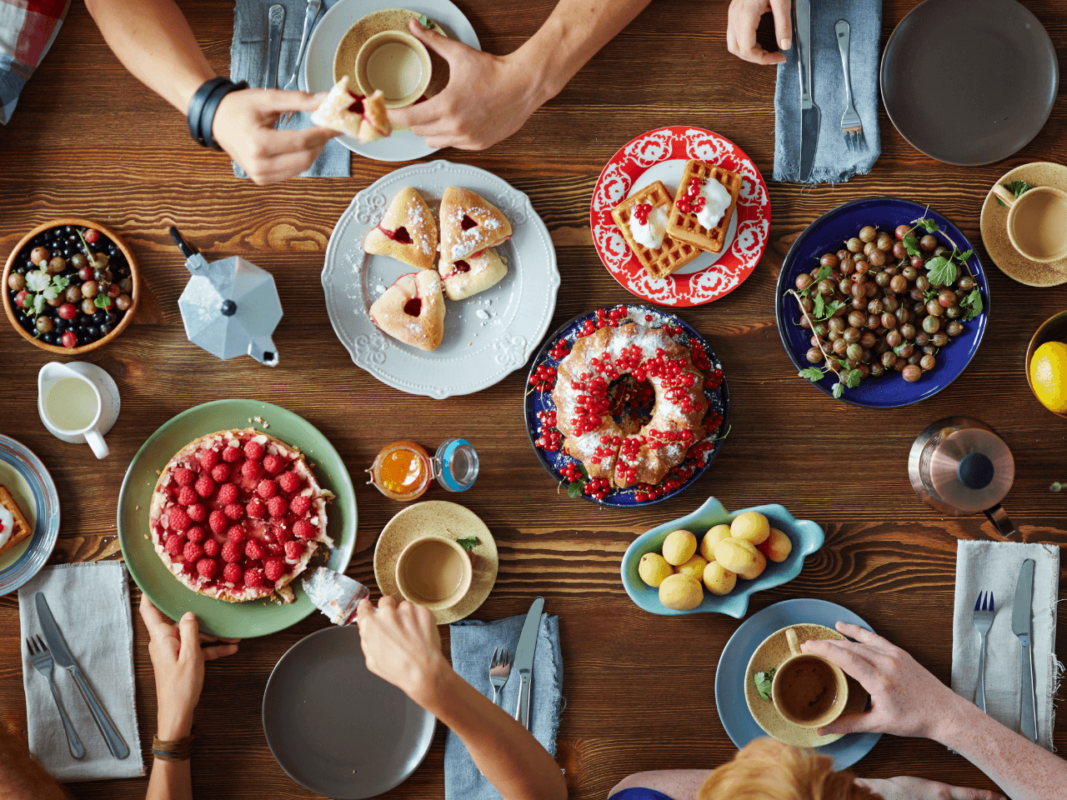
x: 808, y: 691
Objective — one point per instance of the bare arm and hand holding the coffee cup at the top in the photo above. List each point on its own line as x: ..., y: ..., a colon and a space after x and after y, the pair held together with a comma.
x: 490, y: 98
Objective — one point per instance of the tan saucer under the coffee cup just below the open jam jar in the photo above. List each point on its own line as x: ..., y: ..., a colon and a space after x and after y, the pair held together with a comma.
x: 442, y: 519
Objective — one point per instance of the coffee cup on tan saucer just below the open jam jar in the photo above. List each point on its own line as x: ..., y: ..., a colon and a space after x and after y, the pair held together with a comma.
x: 435, y: 572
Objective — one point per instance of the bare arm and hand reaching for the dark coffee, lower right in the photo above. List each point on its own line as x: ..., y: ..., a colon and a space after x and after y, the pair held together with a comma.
x: 906, y: 700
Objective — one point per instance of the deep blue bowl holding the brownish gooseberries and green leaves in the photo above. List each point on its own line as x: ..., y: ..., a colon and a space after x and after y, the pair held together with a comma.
x: 826, y: 235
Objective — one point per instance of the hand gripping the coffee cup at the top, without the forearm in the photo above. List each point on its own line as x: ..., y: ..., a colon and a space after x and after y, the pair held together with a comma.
x: 488, y: 98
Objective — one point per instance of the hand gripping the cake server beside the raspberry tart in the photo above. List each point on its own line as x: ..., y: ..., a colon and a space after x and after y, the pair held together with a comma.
x: 403, y: 646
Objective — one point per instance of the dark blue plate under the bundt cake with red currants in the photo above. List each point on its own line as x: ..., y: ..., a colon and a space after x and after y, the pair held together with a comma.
x: 542, y: 403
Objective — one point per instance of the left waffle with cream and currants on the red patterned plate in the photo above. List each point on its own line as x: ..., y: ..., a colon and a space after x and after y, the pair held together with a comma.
x: 643, y: 221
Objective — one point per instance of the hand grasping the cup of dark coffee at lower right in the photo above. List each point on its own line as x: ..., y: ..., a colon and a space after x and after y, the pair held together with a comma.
x: 906, y: 700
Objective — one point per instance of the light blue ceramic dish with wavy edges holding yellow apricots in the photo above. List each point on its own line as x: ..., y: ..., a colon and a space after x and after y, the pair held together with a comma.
x: 807, y: 538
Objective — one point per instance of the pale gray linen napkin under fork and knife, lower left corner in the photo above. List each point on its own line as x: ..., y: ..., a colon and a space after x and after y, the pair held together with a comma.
x: 91, y: 604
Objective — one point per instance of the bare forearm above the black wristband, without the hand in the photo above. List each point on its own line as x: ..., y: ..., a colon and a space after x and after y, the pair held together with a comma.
x: 153, y: 40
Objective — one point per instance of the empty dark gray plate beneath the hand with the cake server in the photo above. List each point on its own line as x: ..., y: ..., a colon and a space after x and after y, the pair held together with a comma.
x: 337, y: 729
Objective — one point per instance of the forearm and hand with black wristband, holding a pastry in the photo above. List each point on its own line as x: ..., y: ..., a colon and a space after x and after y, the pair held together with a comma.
x: 153, y: 40
